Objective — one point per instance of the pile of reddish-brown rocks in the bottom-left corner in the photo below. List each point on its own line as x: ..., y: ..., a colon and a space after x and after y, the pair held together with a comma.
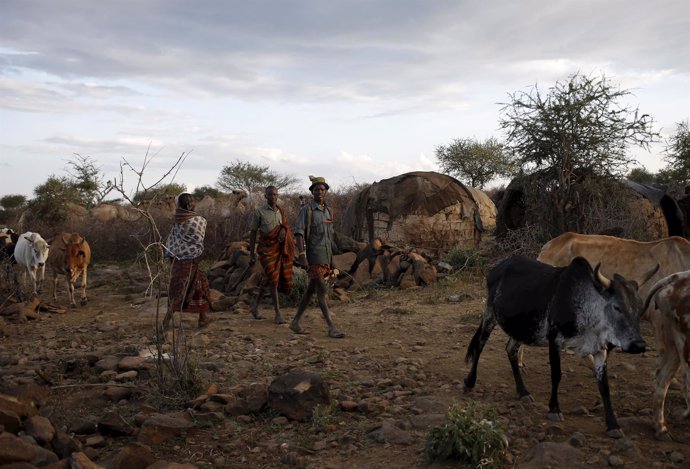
x: 30, y: 440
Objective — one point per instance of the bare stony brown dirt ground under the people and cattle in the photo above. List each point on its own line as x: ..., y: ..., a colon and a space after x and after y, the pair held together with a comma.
x: 402, y: 361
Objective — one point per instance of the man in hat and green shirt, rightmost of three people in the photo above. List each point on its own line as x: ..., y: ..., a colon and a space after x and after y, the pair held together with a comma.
x: 314, y: 239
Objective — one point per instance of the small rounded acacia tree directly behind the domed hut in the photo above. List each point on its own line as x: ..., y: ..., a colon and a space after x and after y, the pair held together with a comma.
x: 473, y: 162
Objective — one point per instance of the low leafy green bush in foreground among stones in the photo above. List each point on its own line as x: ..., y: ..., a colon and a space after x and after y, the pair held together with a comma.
x: 472, y: 434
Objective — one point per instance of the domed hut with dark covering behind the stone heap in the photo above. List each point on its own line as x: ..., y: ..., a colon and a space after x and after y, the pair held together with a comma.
x: 426, y: 210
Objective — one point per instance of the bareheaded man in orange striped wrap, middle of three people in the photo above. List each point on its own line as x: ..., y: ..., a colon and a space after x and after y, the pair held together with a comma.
x: 276, y: 248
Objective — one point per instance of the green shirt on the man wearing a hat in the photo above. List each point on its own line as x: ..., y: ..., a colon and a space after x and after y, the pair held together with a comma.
x: 320, y: 245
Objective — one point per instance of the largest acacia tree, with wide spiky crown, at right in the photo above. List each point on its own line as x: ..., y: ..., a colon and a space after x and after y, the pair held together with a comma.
x: 580, y: 127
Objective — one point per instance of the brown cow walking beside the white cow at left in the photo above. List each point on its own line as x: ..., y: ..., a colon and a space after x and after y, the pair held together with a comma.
x: 70, y: 255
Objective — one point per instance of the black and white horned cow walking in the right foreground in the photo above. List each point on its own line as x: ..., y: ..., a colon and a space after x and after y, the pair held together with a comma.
x: 572, y: 307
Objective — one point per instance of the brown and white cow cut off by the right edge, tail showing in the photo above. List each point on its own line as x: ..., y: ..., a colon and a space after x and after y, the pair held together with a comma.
x: 671, y: 321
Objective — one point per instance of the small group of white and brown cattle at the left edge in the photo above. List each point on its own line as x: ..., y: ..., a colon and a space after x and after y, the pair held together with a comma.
x: 67, y: 254
